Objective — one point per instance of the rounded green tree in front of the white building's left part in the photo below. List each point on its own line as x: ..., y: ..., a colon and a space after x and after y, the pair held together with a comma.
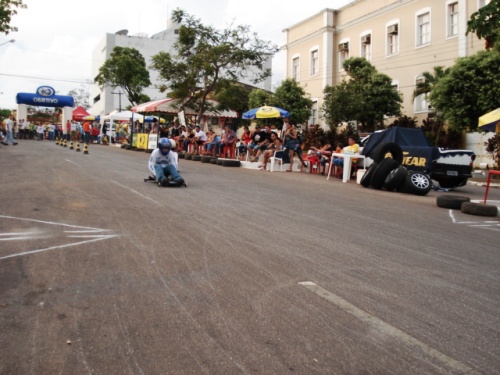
x: 126, y: 68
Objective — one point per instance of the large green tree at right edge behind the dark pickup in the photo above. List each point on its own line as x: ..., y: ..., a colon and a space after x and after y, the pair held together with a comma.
x: 471, y: 89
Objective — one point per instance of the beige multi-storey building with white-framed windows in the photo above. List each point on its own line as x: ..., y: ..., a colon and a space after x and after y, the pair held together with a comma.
x: 401, y: 38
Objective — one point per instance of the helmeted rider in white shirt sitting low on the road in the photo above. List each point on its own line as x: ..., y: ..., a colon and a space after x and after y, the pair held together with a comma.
x: 163, y: 164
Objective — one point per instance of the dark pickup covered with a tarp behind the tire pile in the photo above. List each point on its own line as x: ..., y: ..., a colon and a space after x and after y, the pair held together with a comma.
x: 450, y: 168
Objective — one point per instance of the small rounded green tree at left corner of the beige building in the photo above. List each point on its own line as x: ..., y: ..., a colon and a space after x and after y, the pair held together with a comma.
x: 291, y: 97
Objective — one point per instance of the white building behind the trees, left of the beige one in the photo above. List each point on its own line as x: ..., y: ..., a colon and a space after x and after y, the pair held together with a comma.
x: 104, y: 101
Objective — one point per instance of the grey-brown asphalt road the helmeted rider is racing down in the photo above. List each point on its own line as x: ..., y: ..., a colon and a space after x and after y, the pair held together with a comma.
x: 242, y: 272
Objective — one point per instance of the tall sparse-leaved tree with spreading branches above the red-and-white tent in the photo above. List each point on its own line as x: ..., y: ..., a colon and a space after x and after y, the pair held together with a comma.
x: 205, y: 56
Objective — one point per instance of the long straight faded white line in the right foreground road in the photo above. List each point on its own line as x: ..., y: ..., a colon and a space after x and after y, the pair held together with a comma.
x: 387, y: 329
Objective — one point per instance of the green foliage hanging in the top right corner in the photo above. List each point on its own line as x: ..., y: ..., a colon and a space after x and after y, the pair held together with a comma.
x: 485, y: 23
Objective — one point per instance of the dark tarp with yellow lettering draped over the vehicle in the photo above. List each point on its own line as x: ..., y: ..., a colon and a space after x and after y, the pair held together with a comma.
x: 418, y: 153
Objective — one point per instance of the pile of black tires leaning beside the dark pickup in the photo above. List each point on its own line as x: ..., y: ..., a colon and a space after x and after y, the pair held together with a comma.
x: 387, y: 173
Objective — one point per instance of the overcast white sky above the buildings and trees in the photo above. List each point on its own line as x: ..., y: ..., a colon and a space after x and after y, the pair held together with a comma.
x: 55, y: 40
